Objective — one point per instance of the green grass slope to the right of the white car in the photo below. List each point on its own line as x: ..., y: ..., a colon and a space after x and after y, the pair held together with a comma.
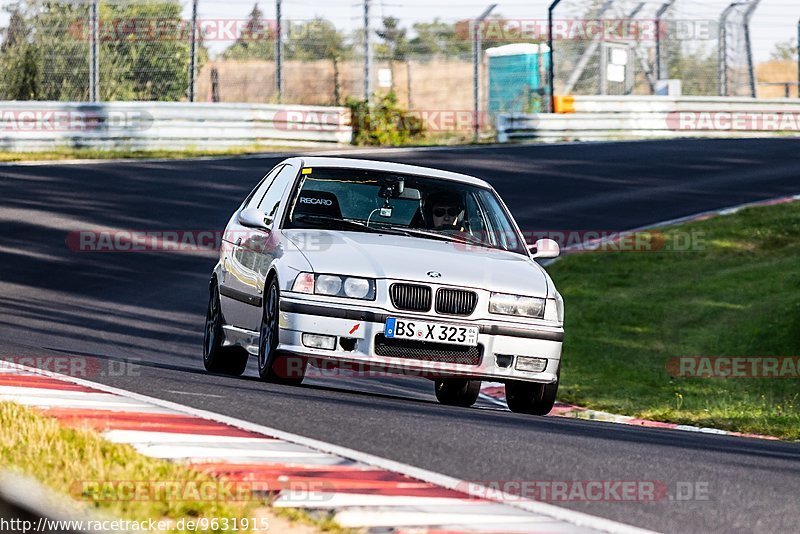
x: 736, y: 294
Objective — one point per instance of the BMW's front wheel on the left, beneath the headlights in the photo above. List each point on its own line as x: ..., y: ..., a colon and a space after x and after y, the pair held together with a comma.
x: 272, y: 366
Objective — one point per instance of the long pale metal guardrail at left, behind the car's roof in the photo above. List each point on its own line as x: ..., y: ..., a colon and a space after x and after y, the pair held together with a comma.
x: 36, y: 126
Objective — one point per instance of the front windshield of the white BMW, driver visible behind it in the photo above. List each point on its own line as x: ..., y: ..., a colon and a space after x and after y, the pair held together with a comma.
x: 430, y: 208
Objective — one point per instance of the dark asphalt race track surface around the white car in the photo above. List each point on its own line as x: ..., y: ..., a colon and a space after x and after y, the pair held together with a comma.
x: 149, y: 308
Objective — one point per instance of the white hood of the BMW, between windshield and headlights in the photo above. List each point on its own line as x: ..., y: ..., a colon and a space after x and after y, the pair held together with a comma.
x: 396, y: 257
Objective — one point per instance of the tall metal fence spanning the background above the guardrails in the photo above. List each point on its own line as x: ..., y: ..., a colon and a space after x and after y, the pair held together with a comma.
x: 243, y: 51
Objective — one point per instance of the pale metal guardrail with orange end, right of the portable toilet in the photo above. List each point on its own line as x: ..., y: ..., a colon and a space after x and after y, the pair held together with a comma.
x: 642, y: 117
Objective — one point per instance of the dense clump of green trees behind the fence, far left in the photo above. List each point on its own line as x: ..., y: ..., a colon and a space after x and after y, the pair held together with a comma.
x: 143, y: 52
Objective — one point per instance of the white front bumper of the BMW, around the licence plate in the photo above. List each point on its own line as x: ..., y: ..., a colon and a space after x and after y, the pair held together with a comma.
x: 501, y: 343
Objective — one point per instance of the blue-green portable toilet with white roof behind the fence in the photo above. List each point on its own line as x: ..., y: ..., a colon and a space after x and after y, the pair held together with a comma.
x: 517, y: 77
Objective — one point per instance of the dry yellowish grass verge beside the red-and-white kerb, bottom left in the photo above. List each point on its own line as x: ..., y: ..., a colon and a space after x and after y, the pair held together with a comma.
x: 76, y: 462
